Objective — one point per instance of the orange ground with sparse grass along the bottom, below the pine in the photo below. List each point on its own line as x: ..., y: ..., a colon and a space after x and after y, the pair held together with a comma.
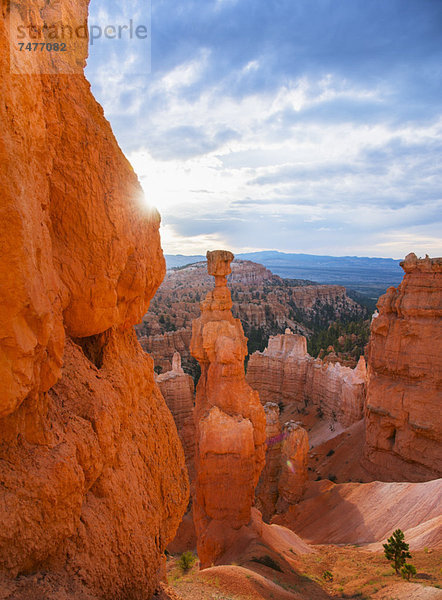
x: 356, y: 573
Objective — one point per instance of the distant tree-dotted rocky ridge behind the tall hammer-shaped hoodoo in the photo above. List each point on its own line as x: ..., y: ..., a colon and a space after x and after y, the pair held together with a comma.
x: 265, y: 304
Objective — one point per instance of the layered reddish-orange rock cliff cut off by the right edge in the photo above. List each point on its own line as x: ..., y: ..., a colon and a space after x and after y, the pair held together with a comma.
x: 403, y: 419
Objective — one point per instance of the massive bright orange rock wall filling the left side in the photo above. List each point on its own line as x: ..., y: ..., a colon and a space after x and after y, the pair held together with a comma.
x: 92, y: 470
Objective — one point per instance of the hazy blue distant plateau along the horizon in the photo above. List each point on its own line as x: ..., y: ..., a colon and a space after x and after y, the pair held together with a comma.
x: 369, y: 276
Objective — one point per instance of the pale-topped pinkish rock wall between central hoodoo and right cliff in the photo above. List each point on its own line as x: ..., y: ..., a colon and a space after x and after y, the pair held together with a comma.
x: 286, y: 373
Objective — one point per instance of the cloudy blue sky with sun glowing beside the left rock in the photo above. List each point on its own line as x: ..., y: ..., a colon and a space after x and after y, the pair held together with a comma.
x: 296, y: 125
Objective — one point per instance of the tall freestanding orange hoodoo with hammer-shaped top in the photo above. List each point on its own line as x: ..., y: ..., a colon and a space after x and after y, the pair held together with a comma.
x: 229, y: 419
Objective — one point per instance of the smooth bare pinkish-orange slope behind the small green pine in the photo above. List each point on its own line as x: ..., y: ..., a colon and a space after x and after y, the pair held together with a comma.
x: 353, y: 513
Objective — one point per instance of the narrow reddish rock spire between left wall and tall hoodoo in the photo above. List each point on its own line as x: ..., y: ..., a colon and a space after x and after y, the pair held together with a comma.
x: 178, y: 391
